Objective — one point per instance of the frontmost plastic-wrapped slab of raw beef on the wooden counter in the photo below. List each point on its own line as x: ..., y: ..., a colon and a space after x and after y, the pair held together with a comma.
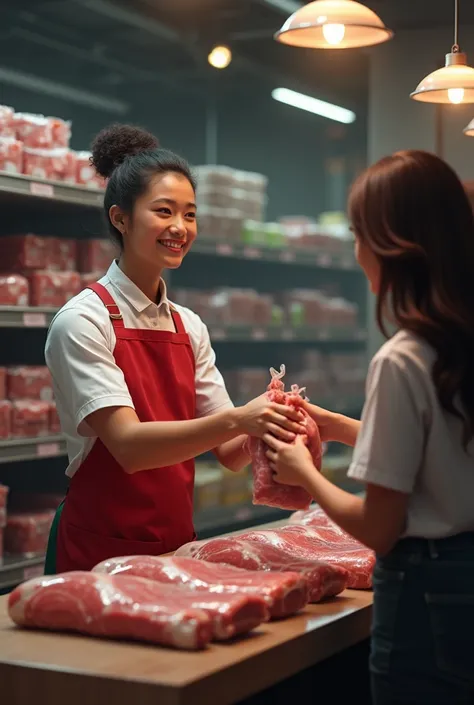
x: 229, y: 615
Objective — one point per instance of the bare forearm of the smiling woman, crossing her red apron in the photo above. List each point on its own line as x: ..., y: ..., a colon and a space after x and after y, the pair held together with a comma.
x: 155, y: 444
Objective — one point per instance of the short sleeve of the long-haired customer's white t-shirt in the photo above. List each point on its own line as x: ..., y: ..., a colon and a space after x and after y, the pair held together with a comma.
x: 389, y: 448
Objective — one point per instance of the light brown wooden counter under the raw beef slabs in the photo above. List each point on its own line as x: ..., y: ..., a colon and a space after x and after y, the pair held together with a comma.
x: 55, y: 669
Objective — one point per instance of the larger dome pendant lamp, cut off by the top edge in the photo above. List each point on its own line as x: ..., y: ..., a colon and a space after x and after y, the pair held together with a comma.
x: 333, y: 24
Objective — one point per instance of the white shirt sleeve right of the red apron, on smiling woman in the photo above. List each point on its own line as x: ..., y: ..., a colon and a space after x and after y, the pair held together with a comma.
x: 211, y: 392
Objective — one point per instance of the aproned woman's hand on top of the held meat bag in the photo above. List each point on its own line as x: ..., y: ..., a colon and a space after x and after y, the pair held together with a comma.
x: 260, y: 416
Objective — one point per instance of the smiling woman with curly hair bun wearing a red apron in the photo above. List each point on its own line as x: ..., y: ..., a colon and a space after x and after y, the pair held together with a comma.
x: 135, y: 381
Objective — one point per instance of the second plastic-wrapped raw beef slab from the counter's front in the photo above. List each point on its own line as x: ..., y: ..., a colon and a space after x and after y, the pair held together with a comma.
x: 284, y: 594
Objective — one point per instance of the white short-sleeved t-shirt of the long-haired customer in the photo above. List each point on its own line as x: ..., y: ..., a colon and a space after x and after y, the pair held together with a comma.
x: 408, y: 443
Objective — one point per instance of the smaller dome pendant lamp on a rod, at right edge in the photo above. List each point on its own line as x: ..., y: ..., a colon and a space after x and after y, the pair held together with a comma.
x: 452, y: 84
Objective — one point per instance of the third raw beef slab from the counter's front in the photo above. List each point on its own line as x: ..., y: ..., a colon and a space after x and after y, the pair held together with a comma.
x: 323, y: 580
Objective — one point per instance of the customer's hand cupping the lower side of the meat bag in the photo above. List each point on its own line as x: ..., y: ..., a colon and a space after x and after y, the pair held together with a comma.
x: 291, y: 463
